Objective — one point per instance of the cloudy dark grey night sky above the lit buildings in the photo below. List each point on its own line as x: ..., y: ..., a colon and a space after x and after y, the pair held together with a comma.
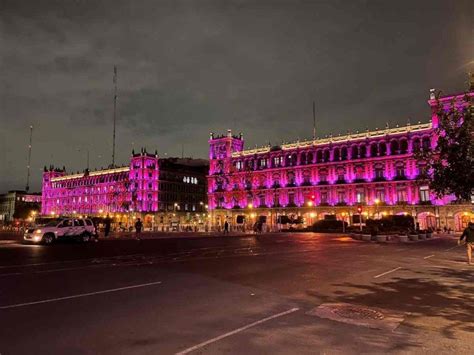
x: 186, y: 68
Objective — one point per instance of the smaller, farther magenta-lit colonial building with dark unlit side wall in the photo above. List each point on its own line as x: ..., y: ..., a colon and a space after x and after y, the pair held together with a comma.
x: 148, y: 186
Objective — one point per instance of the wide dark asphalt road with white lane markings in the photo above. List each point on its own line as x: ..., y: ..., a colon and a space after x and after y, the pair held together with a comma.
x: 234, y: 295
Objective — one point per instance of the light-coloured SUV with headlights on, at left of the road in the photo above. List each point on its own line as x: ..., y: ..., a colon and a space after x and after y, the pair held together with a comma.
x: 81, y: 229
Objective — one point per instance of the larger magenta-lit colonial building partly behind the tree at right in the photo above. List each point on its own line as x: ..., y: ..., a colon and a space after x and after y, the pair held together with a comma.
x: 375, y: 171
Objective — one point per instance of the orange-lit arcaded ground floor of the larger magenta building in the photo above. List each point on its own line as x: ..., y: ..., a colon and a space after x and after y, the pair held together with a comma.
x: 453, y: 217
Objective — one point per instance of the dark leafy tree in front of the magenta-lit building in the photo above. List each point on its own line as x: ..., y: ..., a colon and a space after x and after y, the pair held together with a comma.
x: 451, y: 163
